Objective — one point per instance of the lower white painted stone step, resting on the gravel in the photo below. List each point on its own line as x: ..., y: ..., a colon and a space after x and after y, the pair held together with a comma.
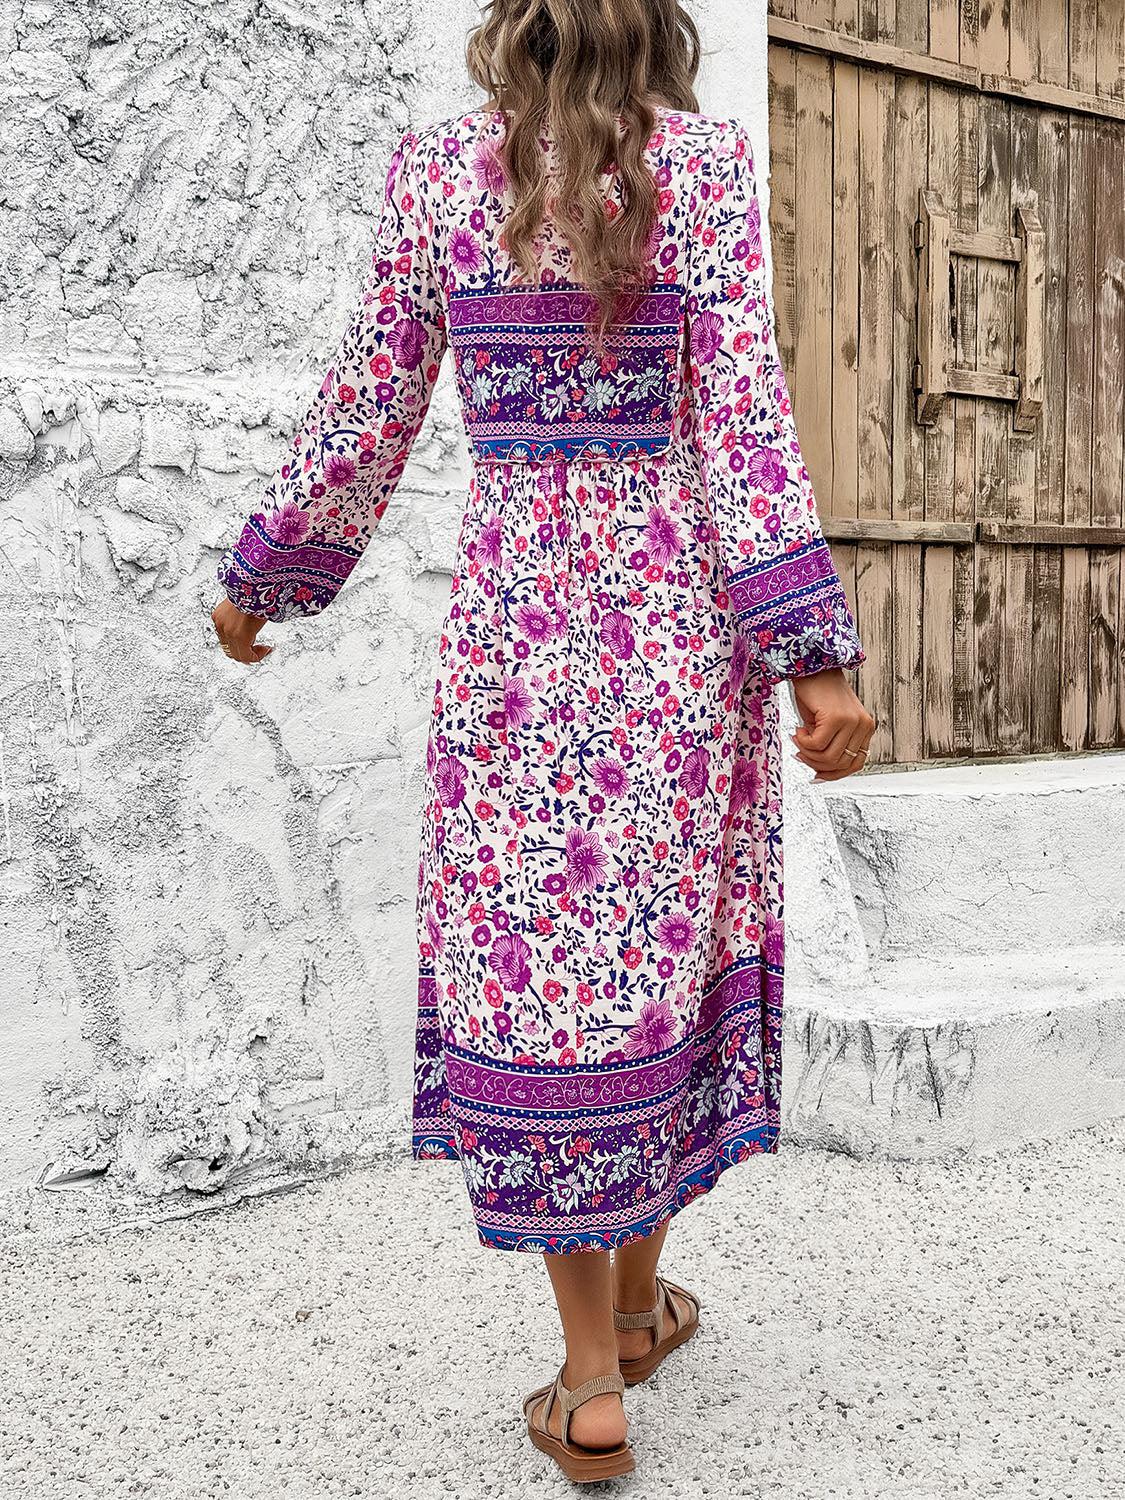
x: 937, y: 1057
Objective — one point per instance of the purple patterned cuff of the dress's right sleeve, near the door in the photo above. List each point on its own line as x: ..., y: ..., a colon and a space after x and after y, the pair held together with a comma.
x: 796, y: 614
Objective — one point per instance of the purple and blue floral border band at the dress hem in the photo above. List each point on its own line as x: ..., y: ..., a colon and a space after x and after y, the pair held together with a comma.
x: 490, y: 1114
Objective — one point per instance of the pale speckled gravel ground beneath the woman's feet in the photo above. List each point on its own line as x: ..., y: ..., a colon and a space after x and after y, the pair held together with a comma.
x: 871, y: 1330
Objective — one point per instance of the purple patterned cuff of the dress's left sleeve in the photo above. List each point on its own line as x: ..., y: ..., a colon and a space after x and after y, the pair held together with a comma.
x: 284, y: 580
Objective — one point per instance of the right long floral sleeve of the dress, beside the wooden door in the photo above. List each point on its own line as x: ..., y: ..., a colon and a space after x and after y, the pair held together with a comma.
x: 781, y: 575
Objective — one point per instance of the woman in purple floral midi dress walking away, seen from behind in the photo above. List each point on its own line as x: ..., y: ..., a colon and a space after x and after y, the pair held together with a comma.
x: 599, y: 1030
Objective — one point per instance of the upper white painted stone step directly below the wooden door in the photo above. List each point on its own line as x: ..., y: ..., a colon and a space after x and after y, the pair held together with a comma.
x: 973, y: 859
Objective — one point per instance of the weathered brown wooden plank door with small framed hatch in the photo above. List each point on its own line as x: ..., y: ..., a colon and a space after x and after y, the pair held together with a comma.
x: 949, y: 233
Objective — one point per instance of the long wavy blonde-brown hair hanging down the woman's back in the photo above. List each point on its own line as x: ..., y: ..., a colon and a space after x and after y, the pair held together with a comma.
x: 589, y: 76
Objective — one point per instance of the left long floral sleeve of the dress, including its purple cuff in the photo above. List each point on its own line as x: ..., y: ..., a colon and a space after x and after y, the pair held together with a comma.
x: 328, y: 497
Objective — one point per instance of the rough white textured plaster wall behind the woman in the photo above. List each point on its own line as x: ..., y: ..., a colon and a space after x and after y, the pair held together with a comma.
x: 208, y: 874
